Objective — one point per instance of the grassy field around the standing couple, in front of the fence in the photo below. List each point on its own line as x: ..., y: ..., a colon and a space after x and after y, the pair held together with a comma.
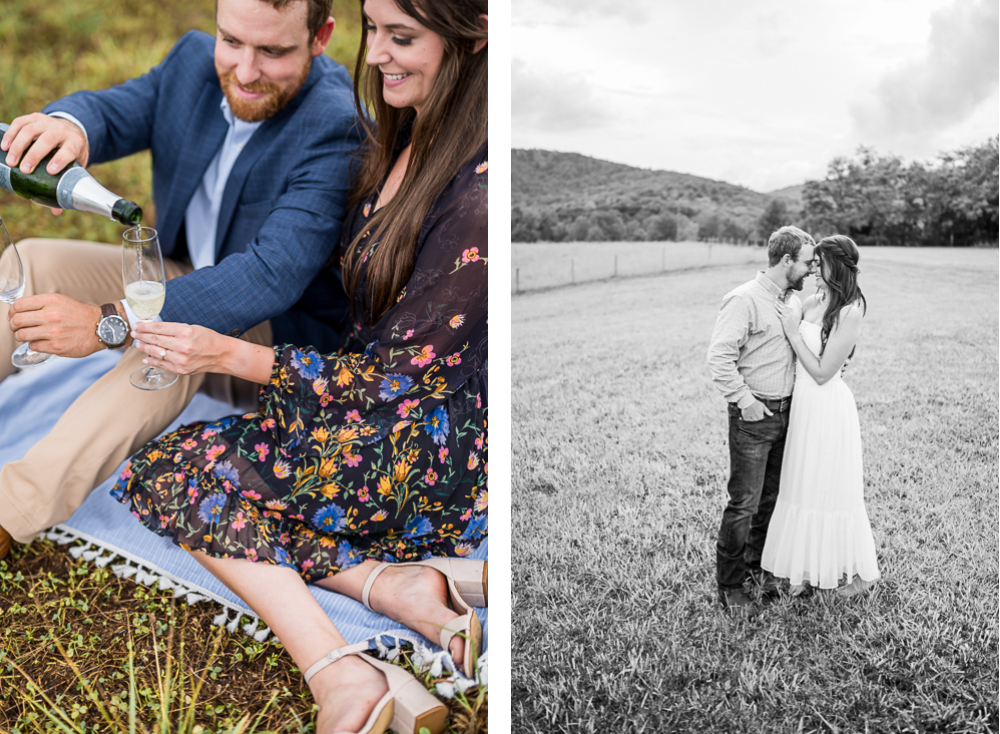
x: 620, y: 463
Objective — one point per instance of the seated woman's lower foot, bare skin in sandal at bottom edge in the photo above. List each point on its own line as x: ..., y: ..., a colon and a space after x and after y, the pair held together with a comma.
x: 347, y: 692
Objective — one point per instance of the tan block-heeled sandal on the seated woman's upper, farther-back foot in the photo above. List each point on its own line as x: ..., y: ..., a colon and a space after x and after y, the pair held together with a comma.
x: 467, y: 588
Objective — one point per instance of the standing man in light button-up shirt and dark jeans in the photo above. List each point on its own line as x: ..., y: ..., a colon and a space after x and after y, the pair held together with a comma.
x: 753, y: 366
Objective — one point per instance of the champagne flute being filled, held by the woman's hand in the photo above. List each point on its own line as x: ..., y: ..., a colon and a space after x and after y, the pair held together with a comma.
x: 145, y: 290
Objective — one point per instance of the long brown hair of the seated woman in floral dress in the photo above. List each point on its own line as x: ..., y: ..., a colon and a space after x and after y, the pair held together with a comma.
x: 451, y: 127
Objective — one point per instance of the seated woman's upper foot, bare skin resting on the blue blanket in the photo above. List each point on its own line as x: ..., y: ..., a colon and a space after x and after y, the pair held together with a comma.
x: 417, y: 597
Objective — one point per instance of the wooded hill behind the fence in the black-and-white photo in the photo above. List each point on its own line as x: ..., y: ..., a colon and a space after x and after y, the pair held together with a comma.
x: 571, y: 197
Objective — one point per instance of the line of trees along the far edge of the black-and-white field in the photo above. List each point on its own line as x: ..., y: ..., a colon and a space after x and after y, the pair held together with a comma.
x: 875, y: 199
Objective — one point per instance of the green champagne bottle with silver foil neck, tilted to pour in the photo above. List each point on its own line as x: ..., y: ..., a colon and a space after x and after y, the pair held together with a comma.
x: 71, y: 188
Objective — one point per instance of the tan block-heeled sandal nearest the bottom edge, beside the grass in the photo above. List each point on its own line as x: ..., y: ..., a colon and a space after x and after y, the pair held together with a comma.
x: 407, y: 707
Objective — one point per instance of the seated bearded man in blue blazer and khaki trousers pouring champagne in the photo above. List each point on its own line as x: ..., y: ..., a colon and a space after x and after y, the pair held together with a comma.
x: 251, y: 135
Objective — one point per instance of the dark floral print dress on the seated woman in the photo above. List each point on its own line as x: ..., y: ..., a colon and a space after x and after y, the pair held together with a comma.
x: 377, y: 453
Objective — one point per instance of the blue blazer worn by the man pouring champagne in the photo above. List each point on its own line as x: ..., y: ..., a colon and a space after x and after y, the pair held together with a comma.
x: 283, y: 204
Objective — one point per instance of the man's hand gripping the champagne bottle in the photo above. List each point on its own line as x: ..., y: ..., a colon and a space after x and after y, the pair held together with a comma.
x: 41, y: 134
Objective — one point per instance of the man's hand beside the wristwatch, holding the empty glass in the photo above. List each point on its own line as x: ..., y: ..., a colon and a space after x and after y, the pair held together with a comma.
x: 56, y: 324
